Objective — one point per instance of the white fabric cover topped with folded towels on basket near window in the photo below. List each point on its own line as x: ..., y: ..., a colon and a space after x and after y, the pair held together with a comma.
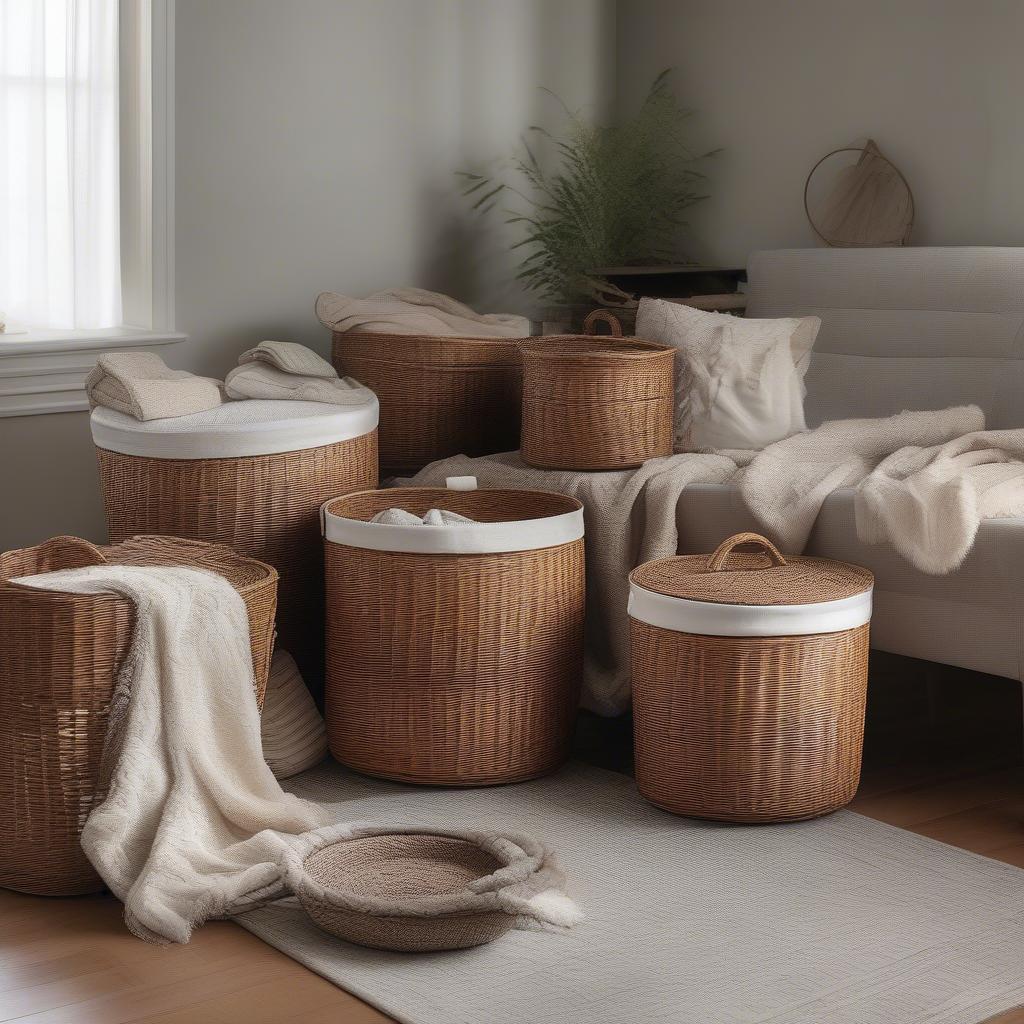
x: 236, y: 430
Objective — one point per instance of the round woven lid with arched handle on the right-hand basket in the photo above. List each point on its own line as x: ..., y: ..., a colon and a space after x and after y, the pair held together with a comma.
x: 760, y: 578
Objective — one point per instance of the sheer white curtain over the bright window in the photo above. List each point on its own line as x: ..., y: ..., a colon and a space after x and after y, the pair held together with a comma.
x: 60, y: 223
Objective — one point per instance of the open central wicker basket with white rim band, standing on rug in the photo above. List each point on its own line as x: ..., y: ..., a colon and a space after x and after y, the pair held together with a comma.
x: 454, y: 654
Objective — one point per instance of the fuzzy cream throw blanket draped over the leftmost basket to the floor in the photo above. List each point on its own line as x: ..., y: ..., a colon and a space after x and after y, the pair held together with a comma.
x: 195, y: 826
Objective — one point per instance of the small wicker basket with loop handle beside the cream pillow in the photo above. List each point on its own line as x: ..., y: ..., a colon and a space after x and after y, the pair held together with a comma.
x: 596, y: 403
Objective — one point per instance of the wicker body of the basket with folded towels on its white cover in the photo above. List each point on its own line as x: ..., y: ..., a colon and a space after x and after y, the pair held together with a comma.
x: 267, y: 507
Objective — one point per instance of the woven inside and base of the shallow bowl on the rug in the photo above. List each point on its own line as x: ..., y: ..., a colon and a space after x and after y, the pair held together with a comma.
x: 400, y: 868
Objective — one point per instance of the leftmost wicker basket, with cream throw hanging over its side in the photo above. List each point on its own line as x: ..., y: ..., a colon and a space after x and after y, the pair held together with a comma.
x: 60, y: 654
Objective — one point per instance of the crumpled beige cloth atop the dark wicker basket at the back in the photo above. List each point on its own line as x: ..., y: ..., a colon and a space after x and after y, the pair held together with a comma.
x: 413, y: 311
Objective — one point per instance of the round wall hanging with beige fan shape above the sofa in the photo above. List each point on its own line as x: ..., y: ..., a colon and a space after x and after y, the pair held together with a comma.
x: 858, y: 198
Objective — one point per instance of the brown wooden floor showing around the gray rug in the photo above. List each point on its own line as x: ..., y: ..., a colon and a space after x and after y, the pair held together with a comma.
x: 71, y: 961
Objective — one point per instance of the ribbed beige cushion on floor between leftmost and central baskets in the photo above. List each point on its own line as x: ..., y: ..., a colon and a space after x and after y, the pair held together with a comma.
x: 293, y: 732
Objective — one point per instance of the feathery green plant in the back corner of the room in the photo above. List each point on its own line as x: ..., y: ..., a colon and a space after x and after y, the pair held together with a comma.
x: 601, y: 196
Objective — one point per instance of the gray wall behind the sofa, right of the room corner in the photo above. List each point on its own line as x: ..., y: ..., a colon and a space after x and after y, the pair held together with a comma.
x: 779, y: 83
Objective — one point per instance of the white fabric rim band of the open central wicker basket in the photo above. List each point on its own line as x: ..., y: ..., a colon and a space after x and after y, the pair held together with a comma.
x: 460, y: 539
